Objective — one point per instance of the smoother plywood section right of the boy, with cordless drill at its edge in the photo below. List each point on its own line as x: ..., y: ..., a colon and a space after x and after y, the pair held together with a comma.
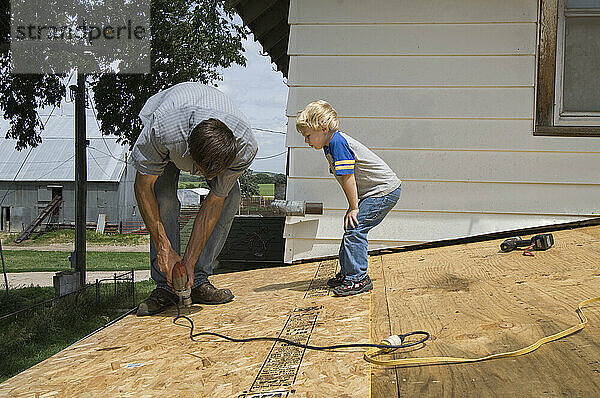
x: 475, y: 301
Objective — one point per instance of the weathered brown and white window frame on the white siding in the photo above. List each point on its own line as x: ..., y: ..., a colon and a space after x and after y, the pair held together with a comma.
x: 549, y: 121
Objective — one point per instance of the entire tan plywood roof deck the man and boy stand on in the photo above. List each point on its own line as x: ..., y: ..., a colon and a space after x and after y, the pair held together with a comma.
x: 473, y: 300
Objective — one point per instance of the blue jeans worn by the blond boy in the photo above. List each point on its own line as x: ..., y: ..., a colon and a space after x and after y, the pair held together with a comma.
x: 353, y: 250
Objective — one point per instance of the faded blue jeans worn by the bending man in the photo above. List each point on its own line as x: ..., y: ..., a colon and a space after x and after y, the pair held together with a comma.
x: 165, y: 190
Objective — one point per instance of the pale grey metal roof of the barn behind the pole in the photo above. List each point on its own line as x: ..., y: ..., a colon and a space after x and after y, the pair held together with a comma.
x: 54, y: 158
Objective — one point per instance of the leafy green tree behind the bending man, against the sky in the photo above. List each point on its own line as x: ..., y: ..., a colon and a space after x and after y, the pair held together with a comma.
x: 190, y: 41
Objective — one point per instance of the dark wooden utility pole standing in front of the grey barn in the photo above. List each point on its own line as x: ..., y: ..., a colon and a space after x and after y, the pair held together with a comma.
x: 80, y: 177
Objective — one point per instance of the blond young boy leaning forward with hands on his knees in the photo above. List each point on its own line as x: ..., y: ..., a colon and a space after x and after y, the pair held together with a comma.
x: 371, y: 188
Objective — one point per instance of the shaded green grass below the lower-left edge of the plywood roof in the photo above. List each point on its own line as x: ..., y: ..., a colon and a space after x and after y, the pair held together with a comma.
x: 37, y: 334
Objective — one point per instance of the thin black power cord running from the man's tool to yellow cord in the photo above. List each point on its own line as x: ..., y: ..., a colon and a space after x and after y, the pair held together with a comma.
x: 395, y: 341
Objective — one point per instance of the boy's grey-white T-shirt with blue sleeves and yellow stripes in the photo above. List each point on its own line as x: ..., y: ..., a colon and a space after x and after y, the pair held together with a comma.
x: 348, y: 156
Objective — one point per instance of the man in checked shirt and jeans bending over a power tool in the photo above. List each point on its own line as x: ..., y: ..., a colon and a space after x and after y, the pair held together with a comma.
x: 195, y: 128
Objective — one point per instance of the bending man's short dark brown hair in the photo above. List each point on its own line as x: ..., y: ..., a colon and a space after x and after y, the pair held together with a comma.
x: 212, y: 146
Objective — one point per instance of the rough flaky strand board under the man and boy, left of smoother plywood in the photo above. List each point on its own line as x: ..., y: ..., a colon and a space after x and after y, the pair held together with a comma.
x: 153, y: 357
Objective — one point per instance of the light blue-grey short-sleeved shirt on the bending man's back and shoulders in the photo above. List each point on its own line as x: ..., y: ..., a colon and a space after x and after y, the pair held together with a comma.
x: 169, y: 117
